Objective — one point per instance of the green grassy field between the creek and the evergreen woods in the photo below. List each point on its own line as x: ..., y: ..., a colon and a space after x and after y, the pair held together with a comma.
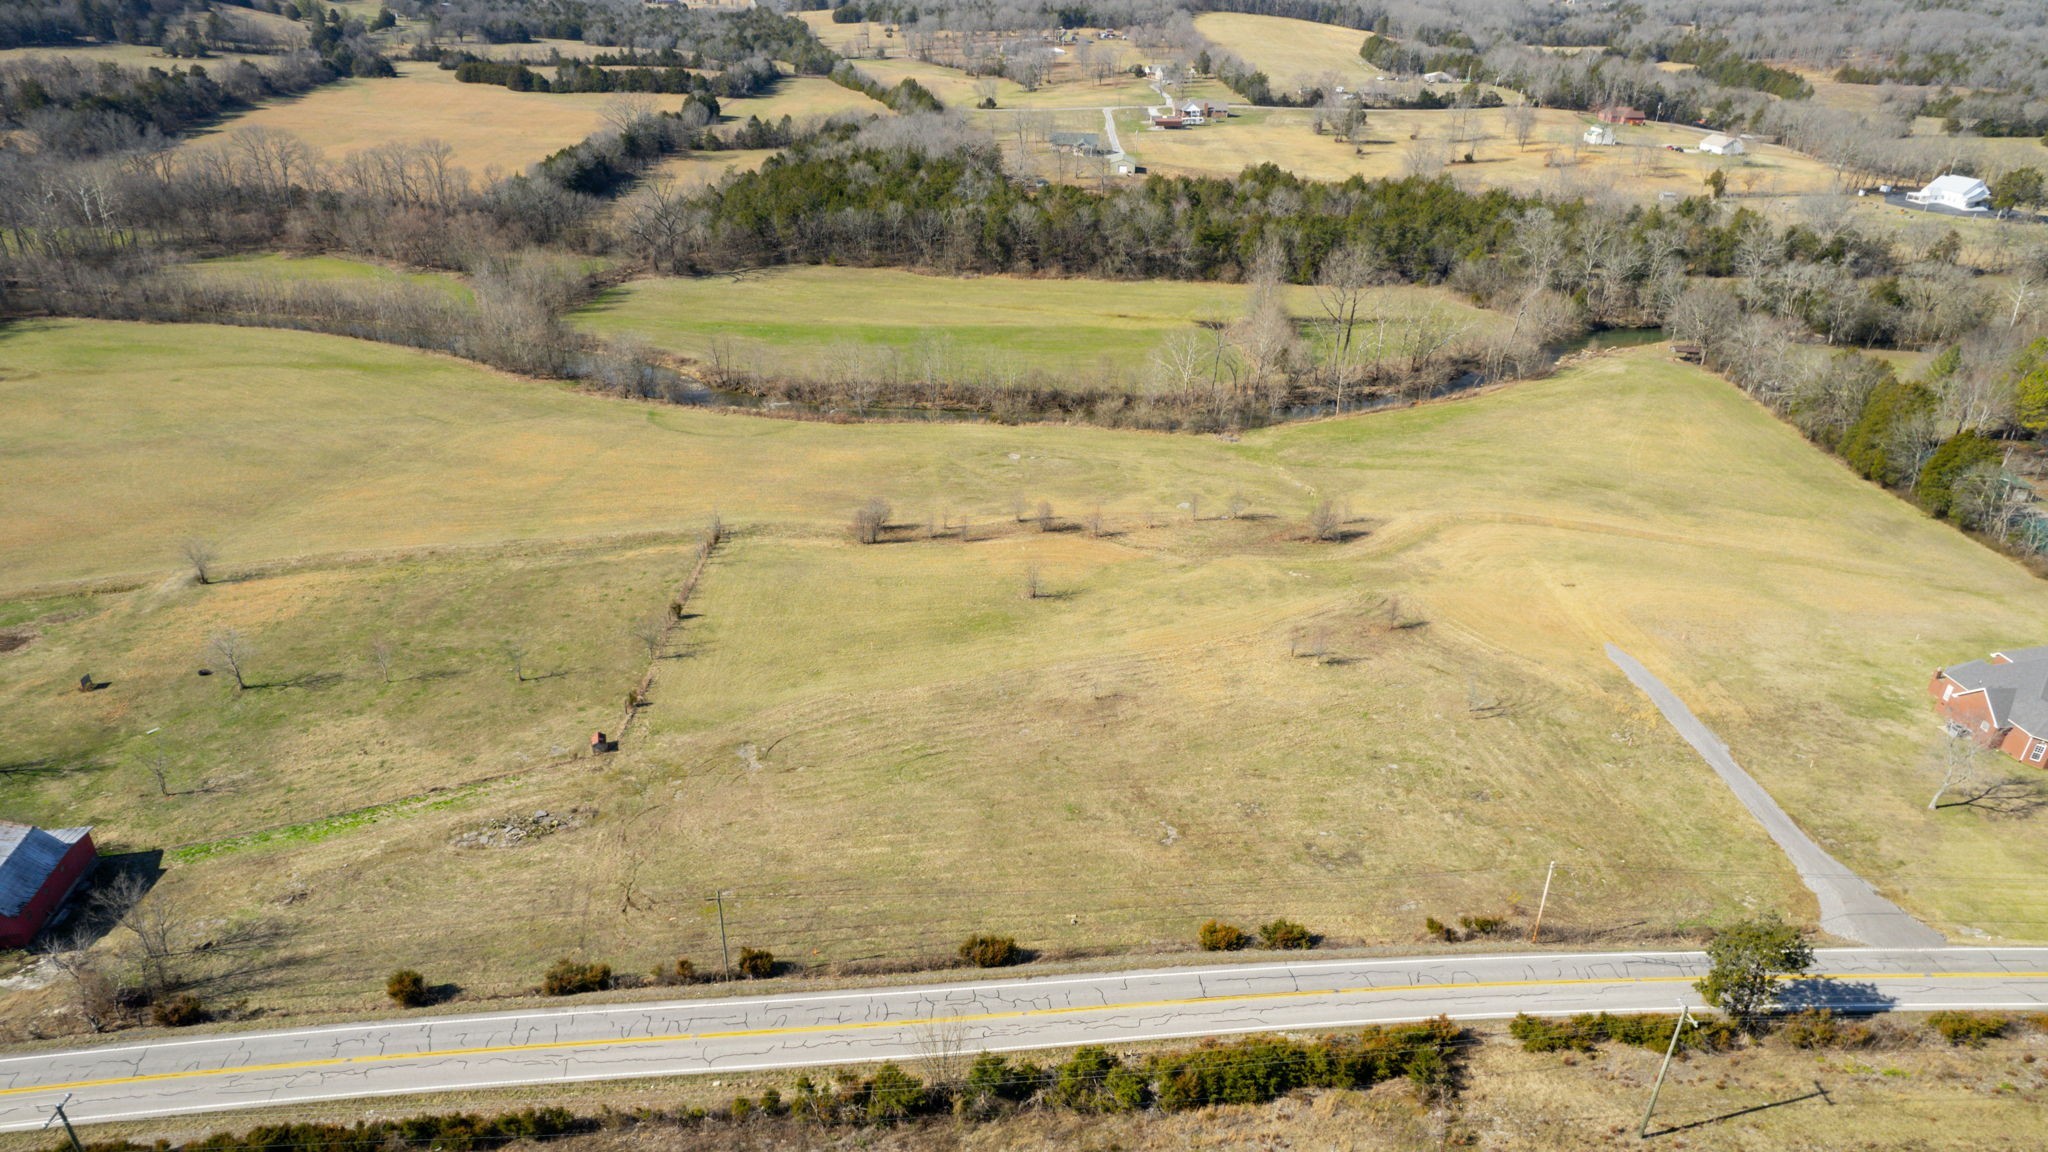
x: 800, y: 321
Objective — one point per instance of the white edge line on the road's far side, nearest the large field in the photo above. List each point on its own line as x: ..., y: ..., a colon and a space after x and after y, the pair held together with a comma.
x: 714, y: 1003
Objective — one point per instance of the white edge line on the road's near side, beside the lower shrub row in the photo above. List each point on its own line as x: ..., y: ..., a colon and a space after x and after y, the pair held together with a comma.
x: 794, y: 1067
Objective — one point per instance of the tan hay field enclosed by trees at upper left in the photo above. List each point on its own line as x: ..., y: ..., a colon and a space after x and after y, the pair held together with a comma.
x: 486, y: 126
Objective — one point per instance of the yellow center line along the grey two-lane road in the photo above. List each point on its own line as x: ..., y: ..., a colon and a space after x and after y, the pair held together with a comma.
x: 904, y: 1024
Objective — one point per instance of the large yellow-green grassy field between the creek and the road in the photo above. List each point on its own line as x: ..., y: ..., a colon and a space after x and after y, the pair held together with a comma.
x: 880, y: 749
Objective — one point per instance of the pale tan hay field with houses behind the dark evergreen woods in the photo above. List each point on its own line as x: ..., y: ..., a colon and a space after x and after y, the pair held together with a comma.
x: 1402, y: 142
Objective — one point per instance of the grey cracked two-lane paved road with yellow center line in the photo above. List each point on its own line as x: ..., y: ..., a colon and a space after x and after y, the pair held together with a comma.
x: 175, y: 1075
